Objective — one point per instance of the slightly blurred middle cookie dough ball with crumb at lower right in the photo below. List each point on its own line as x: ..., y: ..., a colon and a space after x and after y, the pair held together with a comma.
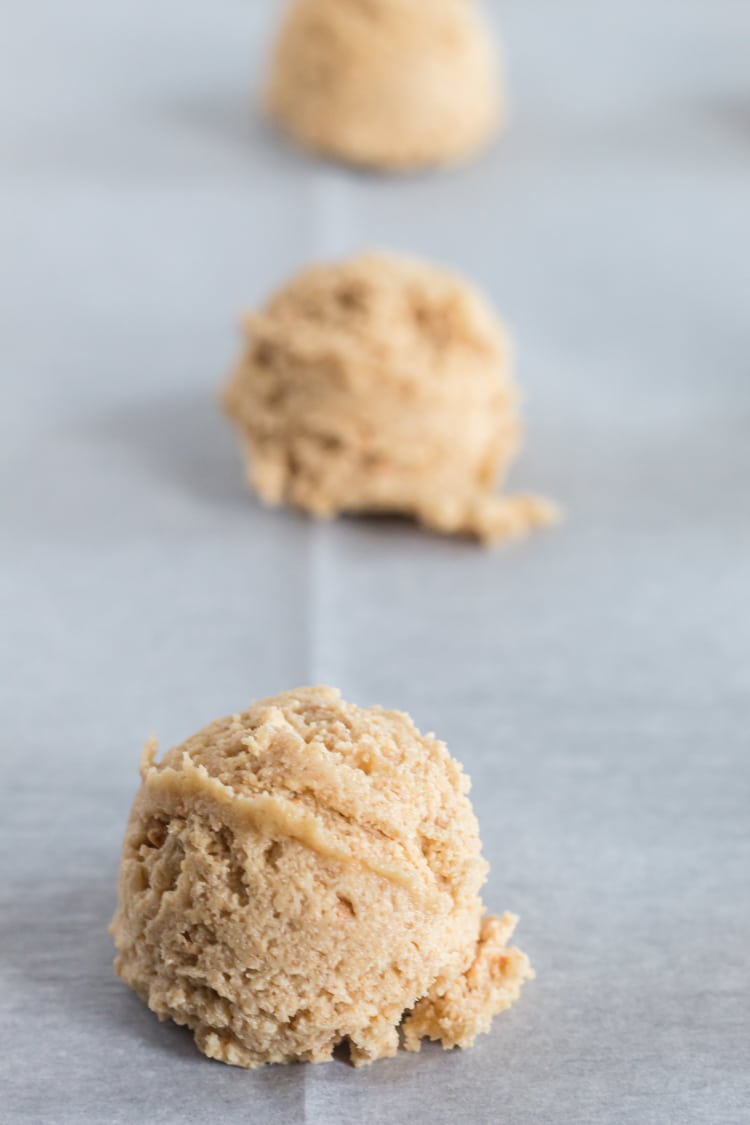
x: 383, y: 385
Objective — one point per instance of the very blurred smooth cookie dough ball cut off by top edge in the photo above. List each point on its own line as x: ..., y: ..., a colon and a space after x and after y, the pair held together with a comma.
x: 395, y: 85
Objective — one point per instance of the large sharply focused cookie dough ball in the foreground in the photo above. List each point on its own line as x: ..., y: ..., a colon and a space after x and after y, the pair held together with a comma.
x: 308, y: 874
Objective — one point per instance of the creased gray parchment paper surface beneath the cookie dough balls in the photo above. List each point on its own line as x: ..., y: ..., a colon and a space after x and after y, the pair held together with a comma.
x: 595, y: 682
